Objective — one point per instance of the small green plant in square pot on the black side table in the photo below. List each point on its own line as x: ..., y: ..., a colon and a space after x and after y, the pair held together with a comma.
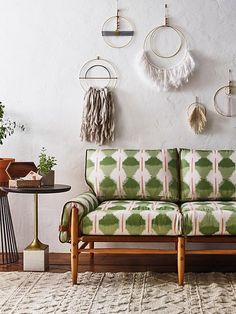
x: 45, y: 168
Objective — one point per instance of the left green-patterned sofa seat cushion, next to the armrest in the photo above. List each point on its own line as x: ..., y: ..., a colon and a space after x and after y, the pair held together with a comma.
x: 133, y: 218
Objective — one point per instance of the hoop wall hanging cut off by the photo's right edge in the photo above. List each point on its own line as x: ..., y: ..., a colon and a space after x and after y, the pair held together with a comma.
x: 223, y: 99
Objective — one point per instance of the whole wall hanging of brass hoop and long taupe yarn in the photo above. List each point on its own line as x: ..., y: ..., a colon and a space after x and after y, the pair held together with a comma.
x: 98, y: 78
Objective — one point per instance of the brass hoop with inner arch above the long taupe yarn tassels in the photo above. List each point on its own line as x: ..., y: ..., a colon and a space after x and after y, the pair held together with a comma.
x: 111, y: 76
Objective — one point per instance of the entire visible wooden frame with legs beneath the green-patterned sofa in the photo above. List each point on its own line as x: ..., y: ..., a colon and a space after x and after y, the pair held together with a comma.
x: 86, y: 243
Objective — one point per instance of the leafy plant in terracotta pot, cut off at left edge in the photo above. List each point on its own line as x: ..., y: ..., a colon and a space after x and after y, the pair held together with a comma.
x: 7, y: 128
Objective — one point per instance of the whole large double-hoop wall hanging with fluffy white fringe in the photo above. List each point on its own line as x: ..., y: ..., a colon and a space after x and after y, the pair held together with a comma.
x: 160, y: 73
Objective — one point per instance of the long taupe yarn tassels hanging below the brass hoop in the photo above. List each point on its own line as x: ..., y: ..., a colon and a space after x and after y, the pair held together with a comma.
x: 98, y: 116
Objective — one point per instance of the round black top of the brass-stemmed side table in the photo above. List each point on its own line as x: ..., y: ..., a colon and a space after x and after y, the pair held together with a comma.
x: 57, y: 188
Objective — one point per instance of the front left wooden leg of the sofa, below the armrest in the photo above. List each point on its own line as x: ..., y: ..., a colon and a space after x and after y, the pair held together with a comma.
x: 74, y: 245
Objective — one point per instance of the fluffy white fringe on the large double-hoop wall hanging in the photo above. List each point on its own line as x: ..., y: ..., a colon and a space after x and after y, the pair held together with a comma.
x: 167, y: 78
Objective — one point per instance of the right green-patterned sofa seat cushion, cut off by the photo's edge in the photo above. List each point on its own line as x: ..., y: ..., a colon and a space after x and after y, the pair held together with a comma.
x: 209, y: 218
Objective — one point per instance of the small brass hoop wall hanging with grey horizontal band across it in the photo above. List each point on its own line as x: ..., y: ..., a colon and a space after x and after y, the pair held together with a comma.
x: 117, y: 31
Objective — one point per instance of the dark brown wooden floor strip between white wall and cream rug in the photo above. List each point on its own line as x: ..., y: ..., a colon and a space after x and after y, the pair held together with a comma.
x: 60, y: 262
